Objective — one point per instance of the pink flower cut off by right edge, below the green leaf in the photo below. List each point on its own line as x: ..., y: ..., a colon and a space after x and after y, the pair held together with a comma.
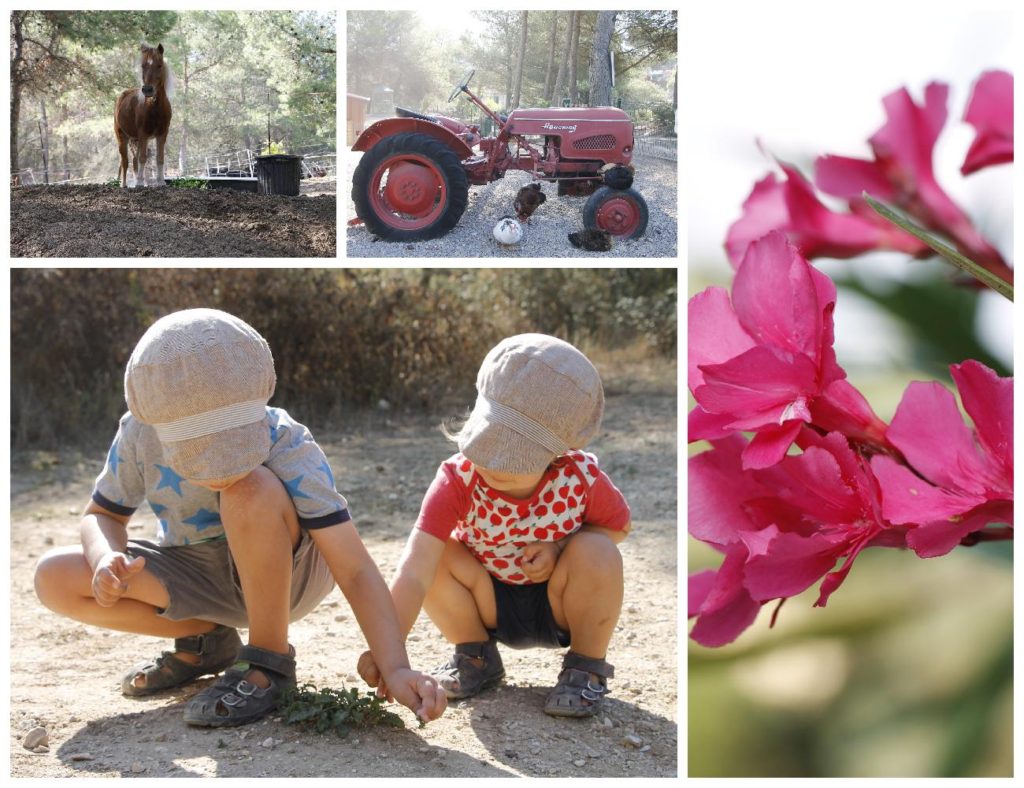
x: 959, y: 481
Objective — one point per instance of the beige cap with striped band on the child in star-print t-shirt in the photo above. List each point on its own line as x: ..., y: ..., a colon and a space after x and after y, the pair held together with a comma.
x: 202, y: 379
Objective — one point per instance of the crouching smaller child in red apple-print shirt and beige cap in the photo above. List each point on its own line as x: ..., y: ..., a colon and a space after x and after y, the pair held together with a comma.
x: 517, y: 539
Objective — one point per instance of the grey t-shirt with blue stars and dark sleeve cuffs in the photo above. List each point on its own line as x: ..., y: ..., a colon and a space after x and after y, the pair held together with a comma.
x: 137, y: 471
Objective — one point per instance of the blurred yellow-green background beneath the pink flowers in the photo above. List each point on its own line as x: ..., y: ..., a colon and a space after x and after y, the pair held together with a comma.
x: 908, y: 673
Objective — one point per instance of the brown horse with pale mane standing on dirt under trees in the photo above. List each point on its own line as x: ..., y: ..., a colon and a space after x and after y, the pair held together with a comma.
x: 144, y: 113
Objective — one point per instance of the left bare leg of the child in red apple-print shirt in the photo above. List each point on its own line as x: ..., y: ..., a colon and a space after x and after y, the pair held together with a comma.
x: 461, y: 600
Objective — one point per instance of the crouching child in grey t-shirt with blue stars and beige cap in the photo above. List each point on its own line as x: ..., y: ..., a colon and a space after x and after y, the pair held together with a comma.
x: 252, y: 532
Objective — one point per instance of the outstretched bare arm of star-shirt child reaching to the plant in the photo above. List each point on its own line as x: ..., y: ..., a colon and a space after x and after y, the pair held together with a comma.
x: 361, y: 582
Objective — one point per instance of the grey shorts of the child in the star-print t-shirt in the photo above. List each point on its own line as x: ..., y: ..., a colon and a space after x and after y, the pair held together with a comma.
x: 203, y: 584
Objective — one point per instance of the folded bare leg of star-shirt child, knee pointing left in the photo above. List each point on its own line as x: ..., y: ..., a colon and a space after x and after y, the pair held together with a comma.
x: 64, y: 584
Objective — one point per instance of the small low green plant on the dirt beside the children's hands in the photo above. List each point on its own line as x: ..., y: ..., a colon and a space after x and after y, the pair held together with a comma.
x: 339, y: 710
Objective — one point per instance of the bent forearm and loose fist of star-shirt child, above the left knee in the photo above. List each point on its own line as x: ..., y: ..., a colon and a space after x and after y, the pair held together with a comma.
x: 105, y: 542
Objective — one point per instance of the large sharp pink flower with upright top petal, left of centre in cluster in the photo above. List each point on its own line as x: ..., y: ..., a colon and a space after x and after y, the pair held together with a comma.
x: 763, y: 361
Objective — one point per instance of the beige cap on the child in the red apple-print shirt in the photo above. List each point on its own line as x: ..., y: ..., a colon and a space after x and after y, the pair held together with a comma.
x: 538, y: 398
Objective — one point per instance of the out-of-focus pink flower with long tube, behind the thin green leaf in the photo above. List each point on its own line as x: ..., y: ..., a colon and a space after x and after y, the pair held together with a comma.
x: 902, y: 173
